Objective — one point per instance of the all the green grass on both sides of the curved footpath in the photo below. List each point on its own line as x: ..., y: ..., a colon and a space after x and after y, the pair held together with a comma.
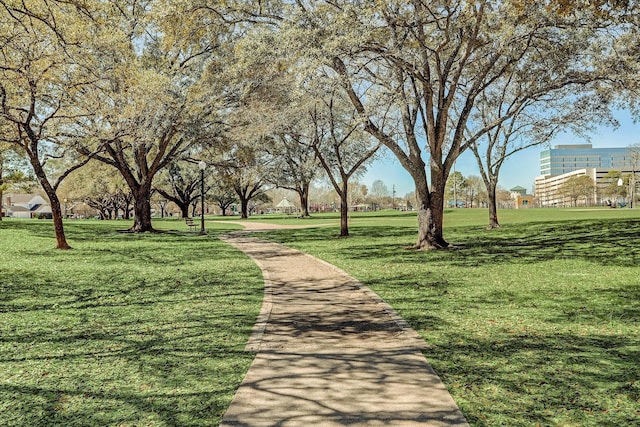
x: 536, y: 323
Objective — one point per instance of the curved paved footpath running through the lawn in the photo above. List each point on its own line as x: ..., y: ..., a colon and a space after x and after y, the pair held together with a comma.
x: 330, y: 352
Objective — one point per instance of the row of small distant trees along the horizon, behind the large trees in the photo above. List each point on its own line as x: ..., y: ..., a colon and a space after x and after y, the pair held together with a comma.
x: 112, y: 201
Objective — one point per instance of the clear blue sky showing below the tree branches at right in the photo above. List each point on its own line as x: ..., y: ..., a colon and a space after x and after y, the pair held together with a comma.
x: 521, y: 169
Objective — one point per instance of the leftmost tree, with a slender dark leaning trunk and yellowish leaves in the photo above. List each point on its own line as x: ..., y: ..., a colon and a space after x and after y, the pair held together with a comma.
x: 43, y: 73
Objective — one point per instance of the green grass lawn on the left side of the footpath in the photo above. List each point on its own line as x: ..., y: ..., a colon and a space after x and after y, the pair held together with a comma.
x: 124, y: 330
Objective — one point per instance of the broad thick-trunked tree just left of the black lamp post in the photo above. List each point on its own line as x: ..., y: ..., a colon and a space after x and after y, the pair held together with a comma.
x: 156, y: 106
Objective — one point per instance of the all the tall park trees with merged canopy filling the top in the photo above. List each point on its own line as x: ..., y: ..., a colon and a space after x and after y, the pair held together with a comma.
x: 278, y: 93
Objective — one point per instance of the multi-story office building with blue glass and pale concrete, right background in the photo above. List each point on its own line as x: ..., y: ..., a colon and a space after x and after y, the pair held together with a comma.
x: 562, y: 162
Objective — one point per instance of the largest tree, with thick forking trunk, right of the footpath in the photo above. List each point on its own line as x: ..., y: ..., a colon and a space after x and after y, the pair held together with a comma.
x: 414, y: 70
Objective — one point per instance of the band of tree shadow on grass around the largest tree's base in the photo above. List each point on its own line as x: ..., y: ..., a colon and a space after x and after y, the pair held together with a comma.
x: 611, y: 243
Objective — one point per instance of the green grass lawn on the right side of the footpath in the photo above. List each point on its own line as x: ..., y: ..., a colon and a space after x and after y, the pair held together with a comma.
x: 536, y: 323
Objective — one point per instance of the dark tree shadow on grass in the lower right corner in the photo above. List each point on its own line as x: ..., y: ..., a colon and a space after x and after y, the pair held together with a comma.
x: 566, y: 377
